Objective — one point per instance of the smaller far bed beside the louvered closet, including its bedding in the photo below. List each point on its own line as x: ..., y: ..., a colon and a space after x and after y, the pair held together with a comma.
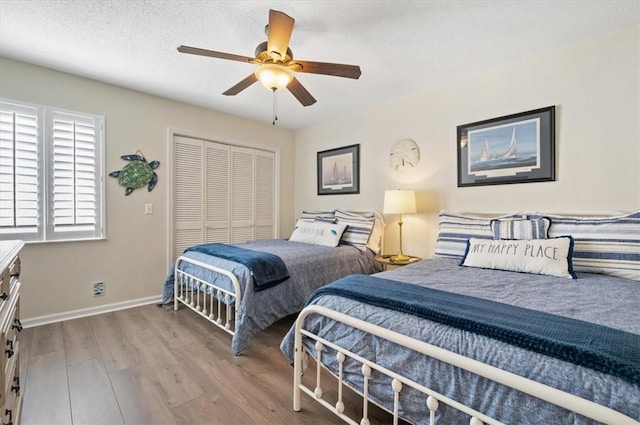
x: 324, y: 246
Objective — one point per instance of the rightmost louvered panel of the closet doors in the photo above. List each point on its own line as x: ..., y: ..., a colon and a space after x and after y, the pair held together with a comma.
x: 265, y: 195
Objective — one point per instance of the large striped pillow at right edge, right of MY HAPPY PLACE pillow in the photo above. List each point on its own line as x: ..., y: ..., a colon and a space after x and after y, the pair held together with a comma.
x: 606, y: 245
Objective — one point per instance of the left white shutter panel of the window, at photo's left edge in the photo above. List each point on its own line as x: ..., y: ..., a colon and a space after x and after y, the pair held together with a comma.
x: 20, y: 160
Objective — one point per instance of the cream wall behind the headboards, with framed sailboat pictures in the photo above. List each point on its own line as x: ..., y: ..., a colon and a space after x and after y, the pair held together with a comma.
x: 595, y: 86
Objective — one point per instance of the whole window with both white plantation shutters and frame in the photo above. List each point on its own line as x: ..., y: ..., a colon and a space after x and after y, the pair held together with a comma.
x: 51, y: 174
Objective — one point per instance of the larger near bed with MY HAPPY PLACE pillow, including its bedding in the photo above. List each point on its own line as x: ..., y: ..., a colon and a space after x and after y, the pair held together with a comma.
x: 525, y: 332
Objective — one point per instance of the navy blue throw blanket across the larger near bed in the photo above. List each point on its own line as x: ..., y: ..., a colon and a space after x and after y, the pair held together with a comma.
x: 597, y: 347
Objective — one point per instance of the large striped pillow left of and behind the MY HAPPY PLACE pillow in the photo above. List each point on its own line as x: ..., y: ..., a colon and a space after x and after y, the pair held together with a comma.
x: 456, y: 229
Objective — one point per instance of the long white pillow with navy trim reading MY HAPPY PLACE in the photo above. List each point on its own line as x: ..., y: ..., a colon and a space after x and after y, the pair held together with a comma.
x: 539, y: 256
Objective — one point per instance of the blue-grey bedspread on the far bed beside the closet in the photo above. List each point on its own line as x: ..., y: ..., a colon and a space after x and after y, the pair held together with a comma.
x: 309, y: 267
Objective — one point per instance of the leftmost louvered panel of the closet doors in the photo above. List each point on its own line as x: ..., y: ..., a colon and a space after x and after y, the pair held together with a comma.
x: 188, y: 158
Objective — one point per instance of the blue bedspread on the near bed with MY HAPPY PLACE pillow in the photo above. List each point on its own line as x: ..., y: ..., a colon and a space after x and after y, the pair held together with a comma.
x: 595, y: 298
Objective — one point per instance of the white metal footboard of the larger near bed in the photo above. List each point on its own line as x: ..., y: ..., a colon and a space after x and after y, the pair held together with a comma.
x: 432, y: 398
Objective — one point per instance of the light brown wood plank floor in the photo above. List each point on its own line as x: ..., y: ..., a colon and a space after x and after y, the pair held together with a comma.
x: 151, y: 365
